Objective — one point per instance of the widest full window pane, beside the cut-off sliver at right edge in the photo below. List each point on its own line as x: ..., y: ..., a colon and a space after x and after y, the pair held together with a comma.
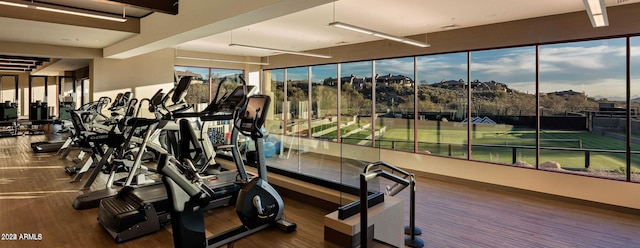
x: 582, y: 107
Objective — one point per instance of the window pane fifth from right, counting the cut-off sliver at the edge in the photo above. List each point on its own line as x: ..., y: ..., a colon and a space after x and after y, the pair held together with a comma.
x: 395, y: 104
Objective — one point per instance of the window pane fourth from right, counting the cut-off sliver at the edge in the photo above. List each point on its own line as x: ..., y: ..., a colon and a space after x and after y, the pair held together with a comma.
x: 442, y: 104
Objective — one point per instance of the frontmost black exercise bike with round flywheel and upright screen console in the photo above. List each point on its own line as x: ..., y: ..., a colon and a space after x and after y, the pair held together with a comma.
x: 259, y: 205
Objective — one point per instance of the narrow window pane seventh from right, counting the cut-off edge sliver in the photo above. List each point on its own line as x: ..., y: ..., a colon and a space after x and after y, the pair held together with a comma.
x: 324, y: 88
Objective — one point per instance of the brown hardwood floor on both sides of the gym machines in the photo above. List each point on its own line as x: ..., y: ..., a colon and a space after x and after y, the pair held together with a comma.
x: 36, y: 197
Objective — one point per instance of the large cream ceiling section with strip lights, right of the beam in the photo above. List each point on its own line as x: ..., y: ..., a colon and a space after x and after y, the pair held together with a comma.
x: 307, y: 30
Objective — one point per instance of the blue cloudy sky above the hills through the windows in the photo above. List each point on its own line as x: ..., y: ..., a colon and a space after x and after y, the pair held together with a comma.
x: 596, y: 68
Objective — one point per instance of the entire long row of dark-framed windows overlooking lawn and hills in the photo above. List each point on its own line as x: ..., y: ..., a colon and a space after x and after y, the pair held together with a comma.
x: 486, y: 105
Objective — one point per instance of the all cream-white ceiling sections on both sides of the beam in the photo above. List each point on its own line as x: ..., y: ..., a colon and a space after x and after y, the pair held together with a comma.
x: 307, y: 30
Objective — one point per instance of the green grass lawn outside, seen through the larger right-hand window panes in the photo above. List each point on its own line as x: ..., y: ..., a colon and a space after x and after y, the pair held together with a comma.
x: 451, y: 143
